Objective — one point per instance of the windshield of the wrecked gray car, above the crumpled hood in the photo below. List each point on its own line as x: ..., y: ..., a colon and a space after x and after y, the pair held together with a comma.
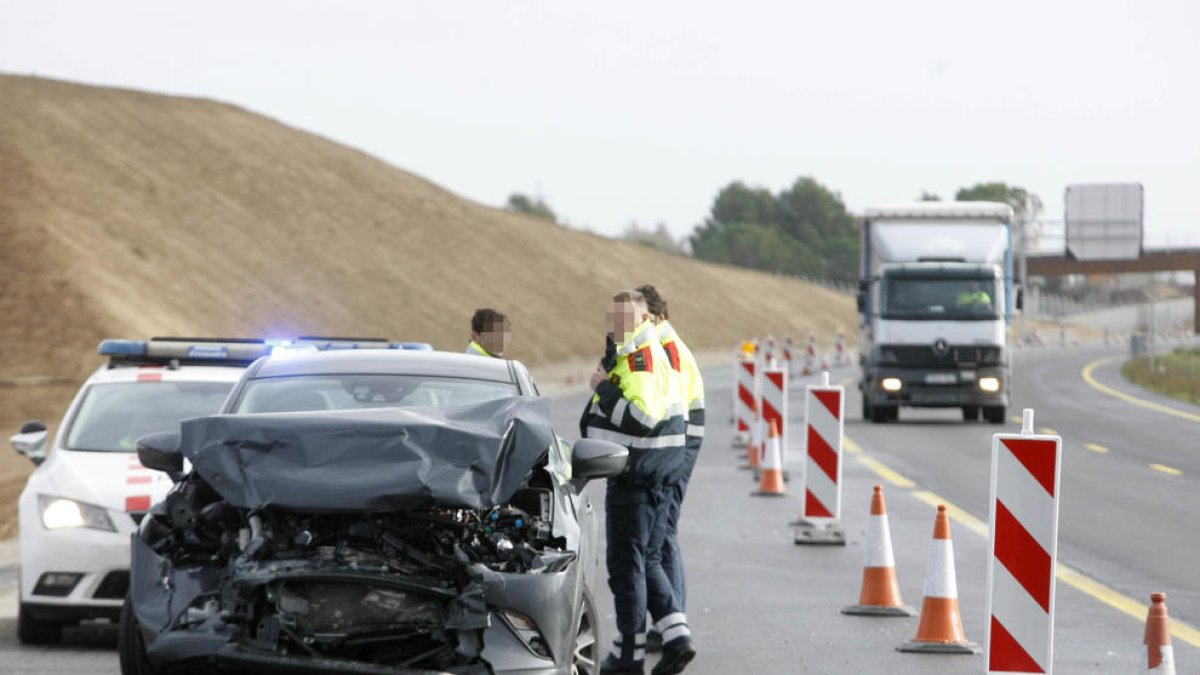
x: 357, y: 392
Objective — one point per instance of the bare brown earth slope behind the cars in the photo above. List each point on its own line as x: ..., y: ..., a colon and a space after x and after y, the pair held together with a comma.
x: 133, y: 214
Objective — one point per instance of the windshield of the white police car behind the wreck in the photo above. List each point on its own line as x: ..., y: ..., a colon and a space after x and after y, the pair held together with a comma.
x: 112, y: 417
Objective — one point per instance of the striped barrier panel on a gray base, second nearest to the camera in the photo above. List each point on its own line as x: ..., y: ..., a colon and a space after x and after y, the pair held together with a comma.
x: 824, y: 427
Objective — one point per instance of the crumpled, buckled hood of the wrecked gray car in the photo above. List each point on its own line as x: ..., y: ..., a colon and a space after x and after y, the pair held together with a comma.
x: 370, y: 461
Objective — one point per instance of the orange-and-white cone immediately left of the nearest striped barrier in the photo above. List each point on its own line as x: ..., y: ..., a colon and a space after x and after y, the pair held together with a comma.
x: 941, y: 623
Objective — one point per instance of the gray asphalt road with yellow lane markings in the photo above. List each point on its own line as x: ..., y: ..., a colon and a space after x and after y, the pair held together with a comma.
x: 761, y: 605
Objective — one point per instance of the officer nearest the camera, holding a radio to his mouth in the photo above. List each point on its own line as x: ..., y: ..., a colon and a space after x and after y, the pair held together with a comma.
x: 637, y: 405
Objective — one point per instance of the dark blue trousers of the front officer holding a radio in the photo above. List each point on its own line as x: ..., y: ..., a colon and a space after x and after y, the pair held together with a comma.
x: 637, y: 525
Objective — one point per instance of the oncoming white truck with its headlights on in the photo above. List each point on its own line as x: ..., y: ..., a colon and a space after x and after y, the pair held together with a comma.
x: 937, y: 297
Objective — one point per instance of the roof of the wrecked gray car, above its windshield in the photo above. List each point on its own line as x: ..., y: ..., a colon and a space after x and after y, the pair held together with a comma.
x: 386, y: 362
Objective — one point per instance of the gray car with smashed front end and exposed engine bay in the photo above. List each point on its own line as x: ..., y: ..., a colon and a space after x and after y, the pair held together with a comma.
x: 370, y: 512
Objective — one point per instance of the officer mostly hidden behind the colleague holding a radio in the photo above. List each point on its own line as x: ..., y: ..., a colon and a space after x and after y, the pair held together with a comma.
x: 692, y: 392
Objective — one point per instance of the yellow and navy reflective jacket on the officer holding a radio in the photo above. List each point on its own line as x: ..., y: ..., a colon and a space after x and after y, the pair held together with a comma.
x: 639, y: 408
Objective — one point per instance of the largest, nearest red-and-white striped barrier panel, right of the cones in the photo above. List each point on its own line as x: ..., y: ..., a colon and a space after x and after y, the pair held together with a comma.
x: 1024, y: 547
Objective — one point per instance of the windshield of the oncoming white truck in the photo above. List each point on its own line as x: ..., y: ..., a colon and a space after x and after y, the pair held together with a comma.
x: 940, y: 298
